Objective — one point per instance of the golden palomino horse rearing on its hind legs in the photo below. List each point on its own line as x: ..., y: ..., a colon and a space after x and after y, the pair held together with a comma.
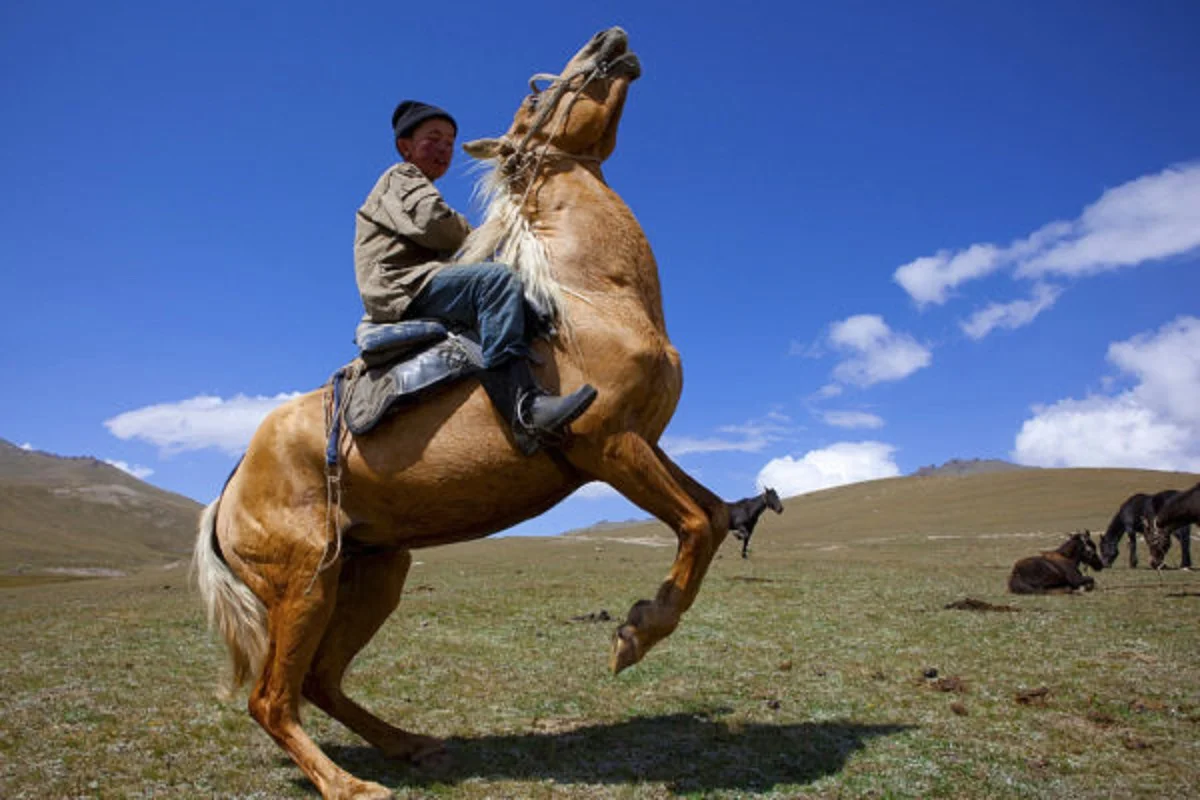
x: 299, y: 572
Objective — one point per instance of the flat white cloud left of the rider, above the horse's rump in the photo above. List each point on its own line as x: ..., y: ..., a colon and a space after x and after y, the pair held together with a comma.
x: 199, y: 423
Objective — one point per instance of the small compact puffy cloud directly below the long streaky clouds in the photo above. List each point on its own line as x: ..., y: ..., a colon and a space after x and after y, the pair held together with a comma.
x: 879, y: 353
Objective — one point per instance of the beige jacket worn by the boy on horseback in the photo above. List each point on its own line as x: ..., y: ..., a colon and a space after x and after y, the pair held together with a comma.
x: 404, y: 234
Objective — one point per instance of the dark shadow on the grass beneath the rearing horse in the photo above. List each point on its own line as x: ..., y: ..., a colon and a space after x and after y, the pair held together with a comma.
x: 687, y: 753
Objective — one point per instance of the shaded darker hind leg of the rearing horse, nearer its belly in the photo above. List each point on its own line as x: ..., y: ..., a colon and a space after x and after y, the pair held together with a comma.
x: 369, y: 591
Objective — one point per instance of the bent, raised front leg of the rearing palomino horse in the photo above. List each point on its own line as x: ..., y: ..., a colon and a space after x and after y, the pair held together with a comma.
x: 629, y: 465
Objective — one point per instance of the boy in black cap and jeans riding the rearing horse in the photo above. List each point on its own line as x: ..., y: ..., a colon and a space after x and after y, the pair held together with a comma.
x: 405, y: 237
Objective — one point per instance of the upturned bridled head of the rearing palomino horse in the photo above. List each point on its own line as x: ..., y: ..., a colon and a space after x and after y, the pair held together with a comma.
x: 579, y: 112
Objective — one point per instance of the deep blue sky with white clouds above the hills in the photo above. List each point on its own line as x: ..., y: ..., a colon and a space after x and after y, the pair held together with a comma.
x: 889, y: 234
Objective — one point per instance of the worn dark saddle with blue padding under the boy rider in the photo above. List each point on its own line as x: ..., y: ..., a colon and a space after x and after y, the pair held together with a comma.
x: 400, y: 363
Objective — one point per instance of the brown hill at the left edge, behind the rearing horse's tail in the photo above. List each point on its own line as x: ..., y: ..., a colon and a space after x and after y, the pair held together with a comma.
x: 65, y: 513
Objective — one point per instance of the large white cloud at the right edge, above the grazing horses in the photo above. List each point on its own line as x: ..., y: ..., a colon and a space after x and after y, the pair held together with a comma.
x: 1154, y: 425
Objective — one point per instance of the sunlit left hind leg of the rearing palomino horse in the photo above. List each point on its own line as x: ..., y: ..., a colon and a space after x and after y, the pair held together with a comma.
x: 297, y: 622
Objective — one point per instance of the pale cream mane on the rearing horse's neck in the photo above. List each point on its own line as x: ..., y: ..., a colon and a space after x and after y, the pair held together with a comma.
x: 507, y: 237
